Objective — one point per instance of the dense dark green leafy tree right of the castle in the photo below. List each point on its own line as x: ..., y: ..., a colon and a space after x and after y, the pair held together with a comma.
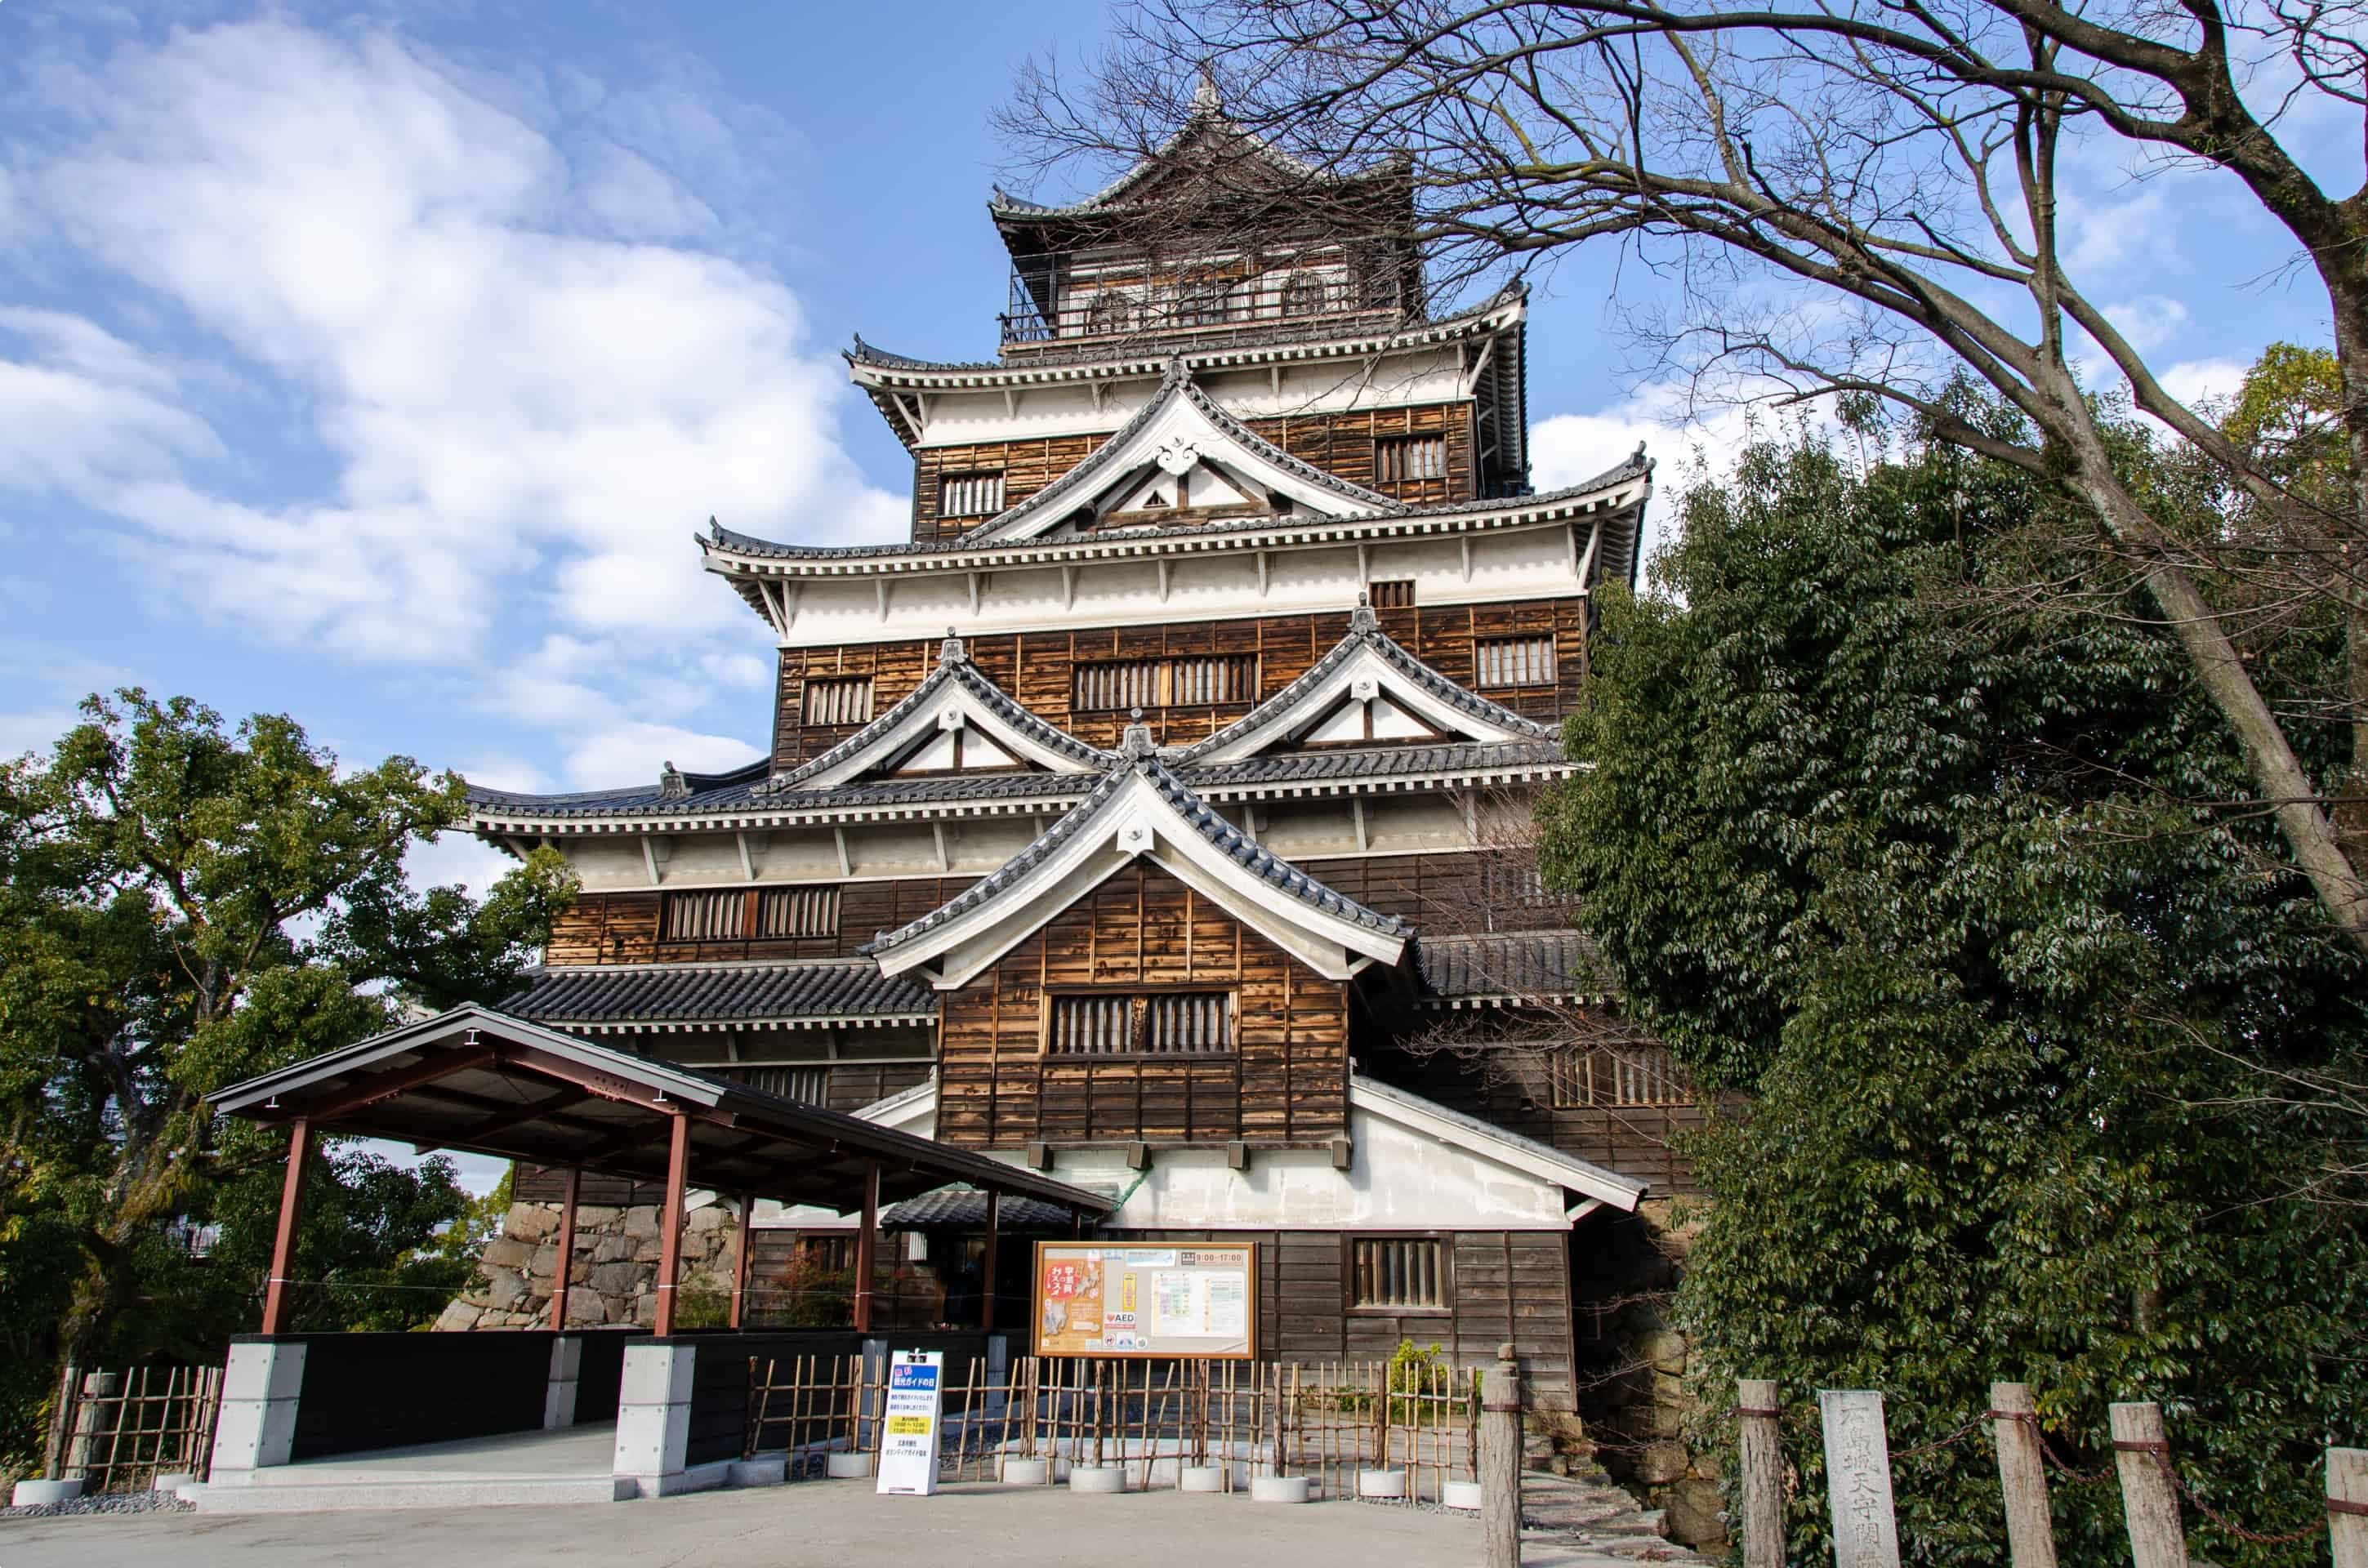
x: 1938, y: 873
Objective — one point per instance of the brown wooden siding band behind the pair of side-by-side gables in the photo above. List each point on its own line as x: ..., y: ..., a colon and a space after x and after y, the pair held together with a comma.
x: 1038, y: 669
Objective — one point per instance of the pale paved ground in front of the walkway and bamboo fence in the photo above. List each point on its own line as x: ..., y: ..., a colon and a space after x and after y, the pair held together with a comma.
x: 830, y: 1527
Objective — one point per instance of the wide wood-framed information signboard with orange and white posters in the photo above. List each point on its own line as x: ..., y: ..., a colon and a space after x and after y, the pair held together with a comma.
x: 1178, y: 1299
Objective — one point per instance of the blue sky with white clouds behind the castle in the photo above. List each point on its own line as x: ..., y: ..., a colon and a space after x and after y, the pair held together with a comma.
x: 378, y: 366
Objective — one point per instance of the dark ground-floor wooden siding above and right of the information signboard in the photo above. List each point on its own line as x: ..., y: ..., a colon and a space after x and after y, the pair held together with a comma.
x: 1502, y: 1287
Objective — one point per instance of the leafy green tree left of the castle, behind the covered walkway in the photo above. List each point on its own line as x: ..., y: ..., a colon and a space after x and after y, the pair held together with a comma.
x: 188, y: 906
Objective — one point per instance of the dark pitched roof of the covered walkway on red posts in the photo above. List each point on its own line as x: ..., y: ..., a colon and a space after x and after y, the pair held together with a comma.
x: 487, y: 1084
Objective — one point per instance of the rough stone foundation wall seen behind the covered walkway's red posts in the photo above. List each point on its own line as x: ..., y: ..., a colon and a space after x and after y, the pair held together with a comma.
x: 614, y: 1278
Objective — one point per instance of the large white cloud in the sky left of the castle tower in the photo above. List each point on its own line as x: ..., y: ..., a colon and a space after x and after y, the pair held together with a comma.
x: 482, y: 304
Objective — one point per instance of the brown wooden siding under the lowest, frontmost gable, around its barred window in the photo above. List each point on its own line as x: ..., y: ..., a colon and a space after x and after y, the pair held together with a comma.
x: 1285, y: 1084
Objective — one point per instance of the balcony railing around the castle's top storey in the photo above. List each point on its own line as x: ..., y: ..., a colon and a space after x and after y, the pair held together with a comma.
x: 1188, y: 307
